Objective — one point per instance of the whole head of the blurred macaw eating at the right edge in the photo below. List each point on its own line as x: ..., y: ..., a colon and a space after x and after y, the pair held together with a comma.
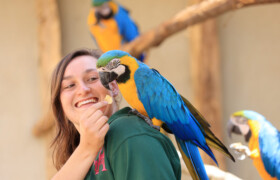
x: 243, y: 122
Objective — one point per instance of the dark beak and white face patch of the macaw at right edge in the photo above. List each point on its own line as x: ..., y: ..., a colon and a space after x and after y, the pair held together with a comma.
x: 241, y: 129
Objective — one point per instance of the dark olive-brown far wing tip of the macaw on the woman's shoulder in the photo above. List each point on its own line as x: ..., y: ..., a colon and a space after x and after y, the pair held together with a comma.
x: 211, y: 139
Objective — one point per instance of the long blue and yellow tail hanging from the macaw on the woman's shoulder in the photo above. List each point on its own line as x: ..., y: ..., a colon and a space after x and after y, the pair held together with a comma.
x: 192, y: 159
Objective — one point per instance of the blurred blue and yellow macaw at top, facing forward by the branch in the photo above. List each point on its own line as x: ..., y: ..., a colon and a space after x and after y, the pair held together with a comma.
x: 115, y: 29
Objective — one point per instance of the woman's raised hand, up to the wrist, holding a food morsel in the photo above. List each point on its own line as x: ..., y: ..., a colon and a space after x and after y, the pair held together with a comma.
x: 93, y: 127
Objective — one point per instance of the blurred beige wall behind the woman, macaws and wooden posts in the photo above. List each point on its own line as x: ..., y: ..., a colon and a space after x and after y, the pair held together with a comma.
x: 249, y: 52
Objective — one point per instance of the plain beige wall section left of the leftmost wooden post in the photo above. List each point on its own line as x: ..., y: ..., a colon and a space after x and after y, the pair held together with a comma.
x: 21, y: 155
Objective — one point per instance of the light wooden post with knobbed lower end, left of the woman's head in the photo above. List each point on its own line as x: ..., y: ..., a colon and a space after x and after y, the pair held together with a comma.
x: 49, y: 54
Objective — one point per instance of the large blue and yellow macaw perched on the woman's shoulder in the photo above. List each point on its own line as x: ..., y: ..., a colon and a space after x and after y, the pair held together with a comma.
x: 153, y: 96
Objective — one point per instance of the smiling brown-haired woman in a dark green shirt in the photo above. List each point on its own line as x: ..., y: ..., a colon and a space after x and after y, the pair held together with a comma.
x: 85, y: 146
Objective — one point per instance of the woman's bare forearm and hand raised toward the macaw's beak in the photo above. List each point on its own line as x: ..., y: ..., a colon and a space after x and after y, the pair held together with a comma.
x: 92, y: 127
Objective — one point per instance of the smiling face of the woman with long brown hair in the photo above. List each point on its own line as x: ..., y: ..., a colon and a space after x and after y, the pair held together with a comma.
x: 81, y: 88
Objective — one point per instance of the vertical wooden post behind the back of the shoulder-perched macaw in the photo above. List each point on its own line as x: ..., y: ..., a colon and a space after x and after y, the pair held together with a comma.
x: 205, y: 75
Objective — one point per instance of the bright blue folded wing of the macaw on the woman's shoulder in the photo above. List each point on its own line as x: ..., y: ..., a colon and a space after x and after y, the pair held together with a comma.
x: 163, y: 102
